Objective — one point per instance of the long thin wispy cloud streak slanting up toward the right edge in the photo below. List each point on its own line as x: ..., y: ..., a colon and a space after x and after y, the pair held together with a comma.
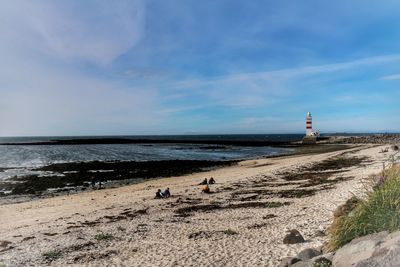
x: 268, y: 87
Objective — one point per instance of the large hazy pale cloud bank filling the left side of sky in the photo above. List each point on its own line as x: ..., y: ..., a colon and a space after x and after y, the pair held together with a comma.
x: 44, y: 44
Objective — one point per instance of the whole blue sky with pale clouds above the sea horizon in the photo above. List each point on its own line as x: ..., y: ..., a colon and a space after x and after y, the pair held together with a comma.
x: 203, y: 67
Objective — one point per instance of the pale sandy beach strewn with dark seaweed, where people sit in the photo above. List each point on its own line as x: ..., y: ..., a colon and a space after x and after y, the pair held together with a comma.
x: 128, y: 227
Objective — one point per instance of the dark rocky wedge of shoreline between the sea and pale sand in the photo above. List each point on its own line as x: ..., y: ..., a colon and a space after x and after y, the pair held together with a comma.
x: 74, y: 177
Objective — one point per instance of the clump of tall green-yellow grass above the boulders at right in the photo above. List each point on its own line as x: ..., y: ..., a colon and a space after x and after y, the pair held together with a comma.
x: 379, y: 211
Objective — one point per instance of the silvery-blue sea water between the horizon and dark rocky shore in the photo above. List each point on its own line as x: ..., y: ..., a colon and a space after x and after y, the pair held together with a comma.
x: 18, y: 160
